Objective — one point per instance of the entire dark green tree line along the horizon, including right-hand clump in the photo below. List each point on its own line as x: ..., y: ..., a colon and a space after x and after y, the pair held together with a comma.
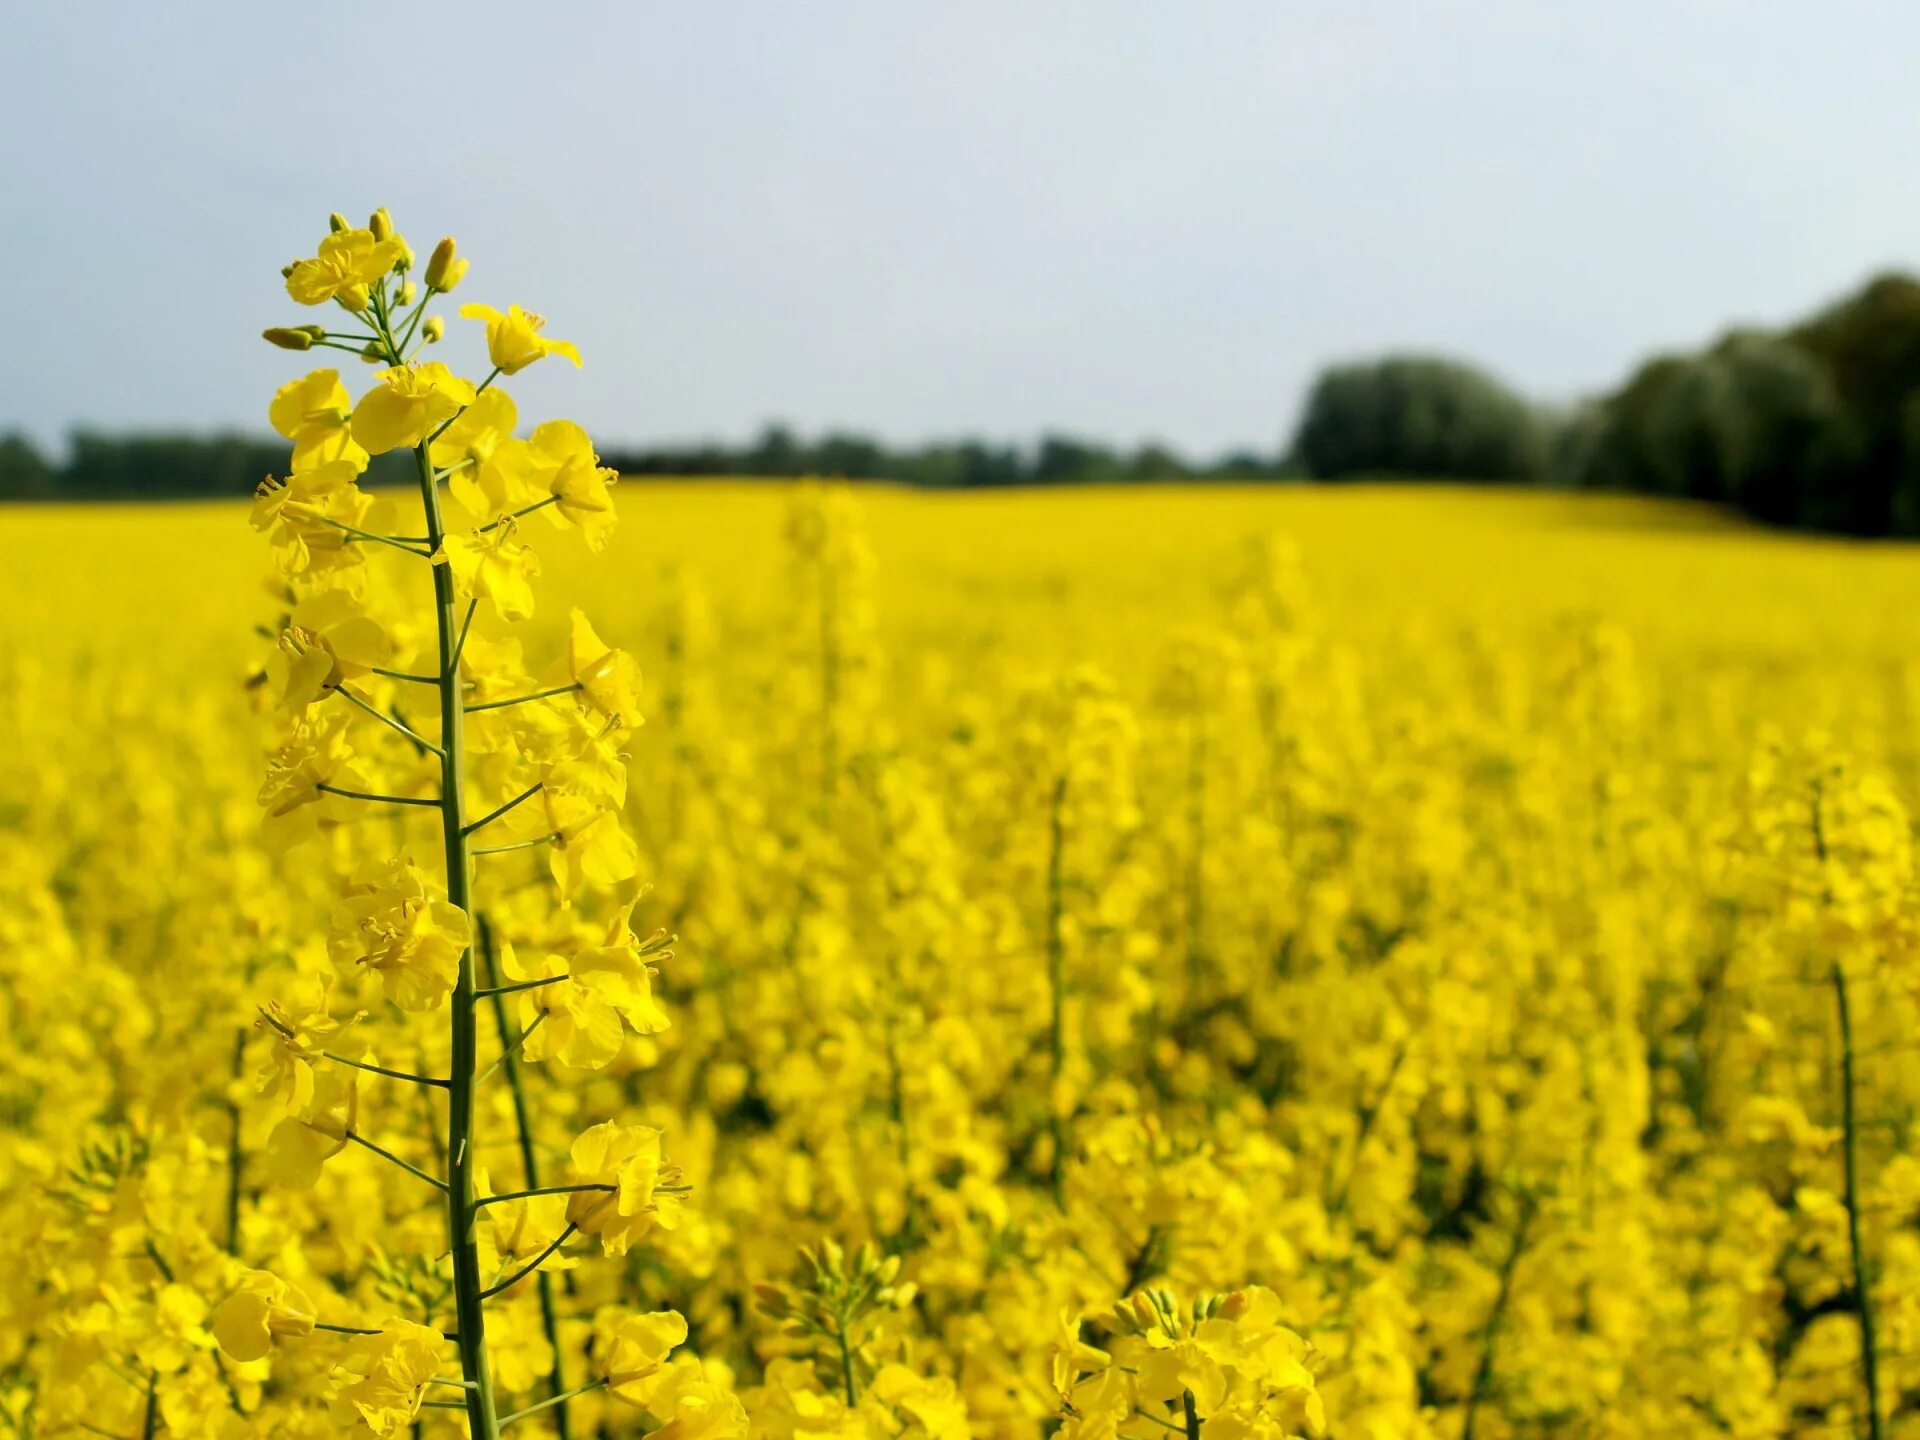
x: 1815, y: 425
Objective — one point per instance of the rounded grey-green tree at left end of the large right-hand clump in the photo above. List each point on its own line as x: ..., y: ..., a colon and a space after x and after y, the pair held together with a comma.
x: 1418, y: 418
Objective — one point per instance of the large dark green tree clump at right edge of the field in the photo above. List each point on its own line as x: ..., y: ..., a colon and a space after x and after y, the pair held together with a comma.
x: 1815, y: 425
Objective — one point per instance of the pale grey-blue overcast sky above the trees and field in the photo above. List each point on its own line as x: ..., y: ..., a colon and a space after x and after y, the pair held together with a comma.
x: 924, y: 220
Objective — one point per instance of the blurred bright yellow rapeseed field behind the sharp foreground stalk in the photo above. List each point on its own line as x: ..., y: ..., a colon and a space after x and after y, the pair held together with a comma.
x: 1428, y: 907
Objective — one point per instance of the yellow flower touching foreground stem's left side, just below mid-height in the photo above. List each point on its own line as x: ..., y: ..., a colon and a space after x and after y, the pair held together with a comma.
x: 398, y: 923
